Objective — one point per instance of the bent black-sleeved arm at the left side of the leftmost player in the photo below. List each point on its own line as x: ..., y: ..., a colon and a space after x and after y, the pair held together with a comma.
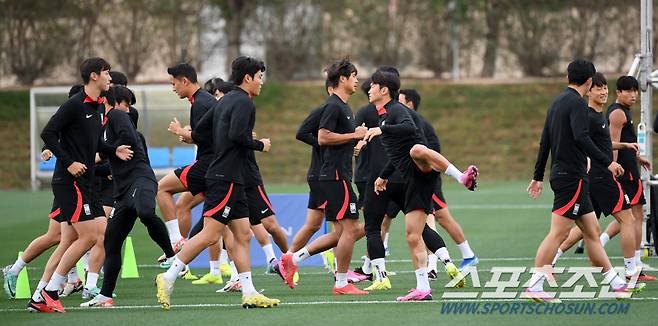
x: 50, y: 133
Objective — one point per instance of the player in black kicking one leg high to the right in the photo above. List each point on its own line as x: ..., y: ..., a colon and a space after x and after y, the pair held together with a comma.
x: 418, y: 165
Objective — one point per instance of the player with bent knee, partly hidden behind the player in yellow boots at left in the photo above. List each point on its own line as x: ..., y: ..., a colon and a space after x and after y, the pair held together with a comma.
x: 190, y: 178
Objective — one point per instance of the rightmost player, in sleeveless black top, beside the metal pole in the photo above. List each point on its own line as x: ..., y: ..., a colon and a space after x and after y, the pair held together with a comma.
x: 622, y: 129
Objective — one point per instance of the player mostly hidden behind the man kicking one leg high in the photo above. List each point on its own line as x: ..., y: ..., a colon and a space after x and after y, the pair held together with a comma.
x: 411, y: 99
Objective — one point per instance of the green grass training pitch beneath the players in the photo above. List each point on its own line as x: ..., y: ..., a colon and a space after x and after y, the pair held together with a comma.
x: 503, y: 226
